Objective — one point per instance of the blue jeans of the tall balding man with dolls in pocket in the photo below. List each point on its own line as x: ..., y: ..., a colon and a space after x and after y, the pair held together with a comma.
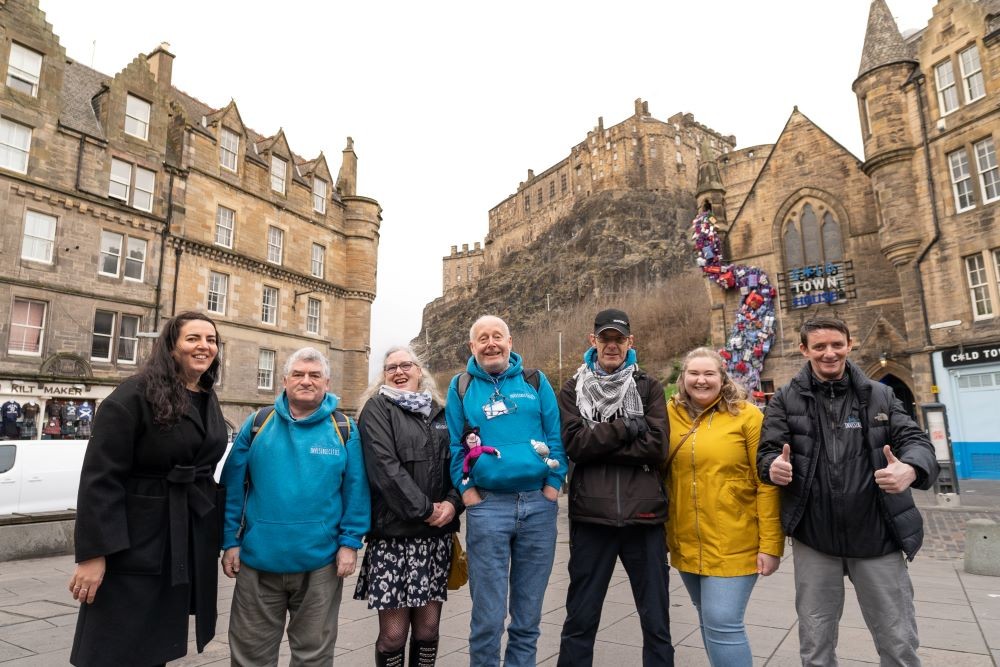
x: 511, y: 543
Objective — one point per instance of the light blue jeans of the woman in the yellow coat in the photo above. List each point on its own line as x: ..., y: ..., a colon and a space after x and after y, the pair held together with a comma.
x: 721, y: 604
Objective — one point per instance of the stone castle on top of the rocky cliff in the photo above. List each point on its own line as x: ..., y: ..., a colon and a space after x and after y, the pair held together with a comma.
x: 640, y: 153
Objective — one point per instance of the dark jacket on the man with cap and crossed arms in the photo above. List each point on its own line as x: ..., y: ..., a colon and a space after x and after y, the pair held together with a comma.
x: 616, y: 479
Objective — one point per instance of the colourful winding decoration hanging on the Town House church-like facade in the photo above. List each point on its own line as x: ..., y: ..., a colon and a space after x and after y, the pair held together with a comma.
x: 752, y: 332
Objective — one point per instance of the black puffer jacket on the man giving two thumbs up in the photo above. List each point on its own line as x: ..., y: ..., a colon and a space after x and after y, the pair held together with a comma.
x: 792, y: 416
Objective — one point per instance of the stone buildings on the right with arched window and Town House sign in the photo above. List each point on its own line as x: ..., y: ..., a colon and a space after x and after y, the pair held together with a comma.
x: 913, y: 226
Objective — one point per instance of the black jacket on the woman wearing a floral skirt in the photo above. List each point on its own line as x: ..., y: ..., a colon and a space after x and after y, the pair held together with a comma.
x: 406, y: 459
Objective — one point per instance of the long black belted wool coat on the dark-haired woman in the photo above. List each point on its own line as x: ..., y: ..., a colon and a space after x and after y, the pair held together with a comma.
x: 148, y: 503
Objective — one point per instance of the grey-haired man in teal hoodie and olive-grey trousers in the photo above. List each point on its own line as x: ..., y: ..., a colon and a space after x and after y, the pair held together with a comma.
x: 292, y: 534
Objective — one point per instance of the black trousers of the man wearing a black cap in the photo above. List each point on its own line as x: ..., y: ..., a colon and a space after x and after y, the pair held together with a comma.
x: 593, y: 552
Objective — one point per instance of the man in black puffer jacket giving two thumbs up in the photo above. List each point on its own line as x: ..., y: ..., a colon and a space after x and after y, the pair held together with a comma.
x: 846, y: 454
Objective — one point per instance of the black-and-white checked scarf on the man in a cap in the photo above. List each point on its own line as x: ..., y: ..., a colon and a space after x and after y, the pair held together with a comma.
x: 601, y: 398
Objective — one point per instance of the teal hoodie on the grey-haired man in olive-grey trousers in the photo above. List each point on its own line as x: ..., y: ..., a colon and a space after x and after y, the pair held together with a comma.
x: 308, y: 492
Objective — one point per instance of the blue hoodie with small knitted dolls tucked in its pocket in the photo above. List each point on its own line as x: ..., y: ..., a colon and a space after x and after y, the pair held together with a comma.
x: 536, y: 417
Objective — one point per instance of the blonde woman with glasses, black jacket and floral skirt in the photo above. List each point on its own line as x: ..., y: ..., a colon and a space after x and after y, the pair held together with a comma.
x: 415, y: 509
